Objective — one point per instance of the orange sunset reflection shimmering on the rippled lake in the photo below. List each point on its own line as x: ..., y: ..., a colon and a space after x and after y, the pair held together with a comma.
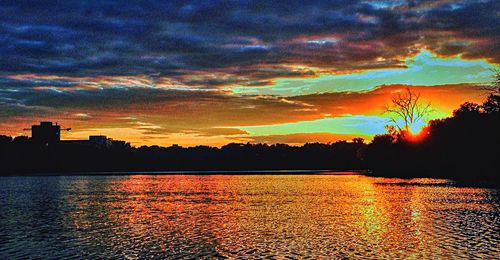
x: 295, y: 215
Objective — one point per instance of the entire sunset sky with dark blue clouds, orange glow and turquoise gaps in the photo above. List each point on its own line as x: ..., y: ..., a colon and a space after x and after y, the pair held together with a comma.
x: 215, y: 72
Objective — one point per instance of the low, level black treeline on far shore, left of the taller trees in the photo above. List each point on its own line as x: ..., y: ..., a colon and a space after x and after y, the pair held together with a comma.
x: 20, y: 155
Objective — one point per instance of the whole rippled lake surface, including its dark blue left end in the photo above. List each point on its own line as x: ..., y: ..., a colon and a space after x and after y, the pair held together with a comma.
x: 295, y: 216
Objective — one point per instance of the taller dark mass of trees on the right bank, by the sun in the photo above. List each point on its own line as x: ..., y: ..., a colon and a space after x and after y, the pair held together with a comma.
x: 465, y: 146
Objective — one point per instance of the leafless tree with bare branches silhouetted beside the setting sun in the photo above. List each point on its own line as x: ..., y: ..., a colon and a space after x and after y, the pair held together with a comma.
x: 408, y: 108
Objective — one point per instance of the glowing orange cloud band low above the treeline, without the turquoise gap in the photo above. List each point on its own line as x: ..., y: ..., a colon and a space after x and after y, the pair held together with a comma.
x: 214, y: 118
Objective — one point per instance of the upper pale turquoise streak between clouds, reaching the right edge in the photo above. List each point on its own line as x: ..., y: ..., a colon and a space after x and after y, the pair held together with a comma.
x: 425, y: 68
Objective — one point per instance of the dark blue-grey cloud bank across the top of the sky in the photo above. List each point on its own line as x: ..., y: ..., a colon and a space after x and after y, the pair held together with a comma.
x: 163, y: 37
